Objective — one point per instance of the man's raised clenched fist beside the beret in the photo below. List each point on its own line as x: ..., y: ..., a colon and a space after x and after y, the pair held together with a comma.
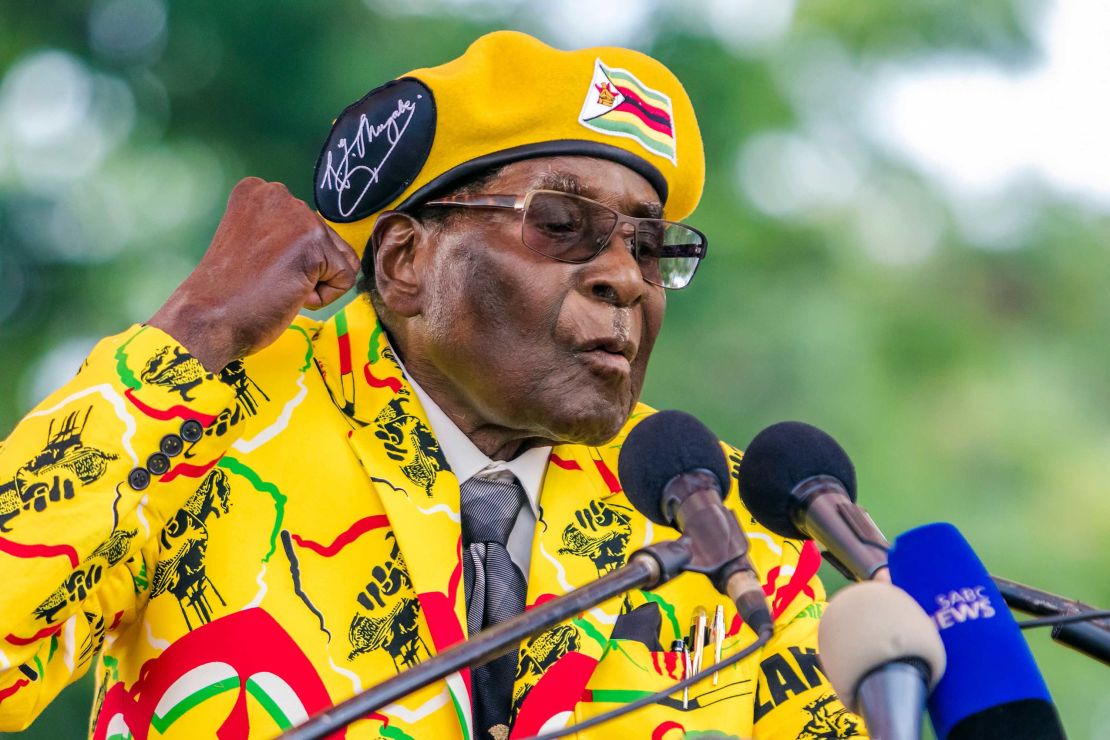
x: 270, y: 257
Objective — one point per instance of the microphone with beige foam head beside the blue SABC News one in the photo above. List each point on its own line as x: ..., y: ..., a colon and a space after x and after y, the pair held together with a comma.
x: 883, y: 656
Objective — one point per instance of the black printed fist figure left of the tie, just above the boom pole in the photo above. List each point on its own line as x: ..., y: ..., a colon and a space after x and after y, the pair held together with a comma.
x: 392, y: 623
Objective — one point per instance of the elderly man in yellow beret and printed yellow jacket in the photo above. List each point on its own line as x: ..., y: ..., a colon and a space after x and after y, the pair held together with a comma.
x: 241, y: 516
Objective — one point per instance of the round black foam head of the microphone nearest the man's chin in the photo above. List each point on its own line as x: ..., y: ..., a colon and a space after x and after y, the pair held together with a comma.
x: 664, y: 445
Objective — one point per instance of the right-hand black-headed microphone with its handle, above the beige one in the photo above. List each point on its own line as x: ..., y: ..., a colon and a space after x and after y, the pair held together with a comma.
x: 799, y: 482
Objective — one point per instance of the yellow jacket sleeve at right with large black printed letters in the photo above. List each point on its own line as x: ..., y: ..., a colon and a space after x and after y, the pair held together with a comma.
x: 794, y: 698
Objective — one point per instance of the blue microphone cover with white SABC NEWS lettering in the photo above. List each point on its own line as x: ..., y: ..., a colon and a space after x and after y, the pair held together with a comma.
x: 993, y: 688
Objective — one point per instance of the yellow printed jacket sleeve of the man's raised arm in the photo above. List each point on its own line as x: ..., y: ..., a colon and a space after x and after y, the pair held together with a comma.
x: 88, y: 480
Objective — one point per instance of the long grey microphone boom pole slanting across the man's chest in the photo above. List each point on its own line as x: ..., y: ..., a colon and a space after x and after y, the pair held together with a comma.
x: 648, y: 569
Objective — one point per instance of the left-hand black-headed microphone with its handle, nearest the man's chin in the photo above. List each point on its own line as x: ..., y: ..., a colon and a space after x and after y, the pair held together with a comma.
x: 674, y: 472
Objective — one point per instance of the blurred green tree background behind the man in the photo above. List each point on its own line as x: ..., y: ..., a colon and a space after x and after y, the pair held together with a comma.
x: 907, y: 205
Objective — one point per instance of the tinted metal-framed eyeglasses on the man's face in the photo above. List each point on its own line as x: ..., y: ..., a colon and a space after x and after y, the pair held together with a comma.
x: 576, y: 229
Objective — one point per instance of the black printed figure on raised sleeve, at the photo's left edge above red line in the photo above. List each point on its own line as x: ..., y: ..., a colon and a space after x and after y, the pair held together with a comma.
x: 49, y: 477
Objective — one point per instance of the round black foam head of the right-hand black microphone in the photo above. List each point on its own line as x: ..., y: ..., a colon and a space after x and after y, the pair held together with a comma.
x: 780, y: 459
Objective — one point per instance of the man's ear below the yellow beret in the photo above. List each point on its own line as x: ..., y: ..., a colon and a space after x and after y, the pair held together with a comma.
x: 396, y: 240
